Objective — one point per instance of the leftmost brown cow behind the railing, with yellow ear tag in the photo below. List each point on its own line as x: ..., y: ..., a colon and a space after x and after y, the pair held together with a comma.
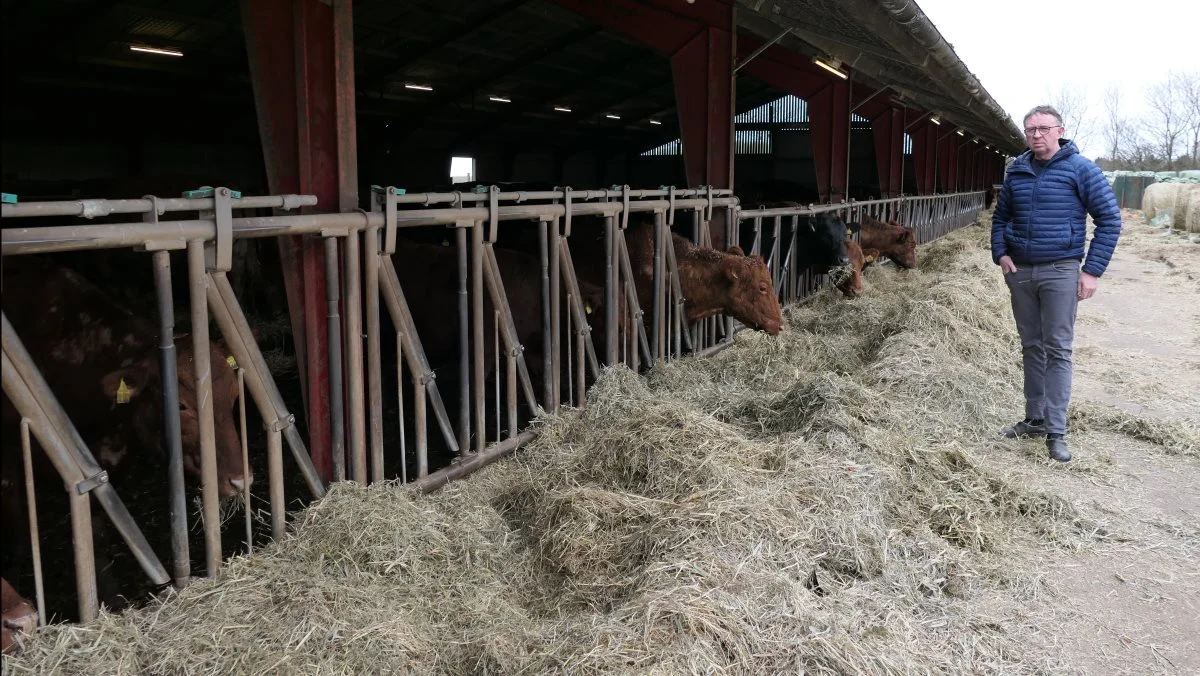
x: 103, y: 364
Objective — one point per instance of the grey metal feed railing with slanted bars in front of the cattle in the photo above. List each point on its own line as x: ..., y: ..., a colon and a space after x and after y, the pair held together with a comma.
x: 367, y: 291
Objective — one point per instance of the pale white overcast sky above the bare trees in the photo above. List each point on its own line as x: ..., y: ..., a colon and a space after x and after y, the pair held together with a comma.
x: 1023, y: 51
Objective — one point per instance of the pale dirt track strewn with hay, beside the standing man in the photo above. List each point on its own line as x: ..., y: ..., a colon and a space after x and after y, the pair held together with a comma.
x: 1131, y: 606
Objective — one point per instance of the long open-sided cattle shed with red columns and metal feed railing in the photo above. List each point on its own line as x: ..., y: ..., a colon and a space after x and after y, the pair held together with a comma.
x: 333, y: 130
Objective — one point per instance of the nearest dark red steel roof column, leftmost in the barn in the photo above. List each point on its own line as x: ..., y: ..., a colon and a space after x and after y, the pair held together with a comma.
x: 302, y: 65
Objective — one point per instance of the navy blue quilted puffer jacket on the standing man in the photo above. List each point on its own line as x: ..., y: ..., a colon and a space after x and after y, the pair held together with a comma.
x: 1042, y: 219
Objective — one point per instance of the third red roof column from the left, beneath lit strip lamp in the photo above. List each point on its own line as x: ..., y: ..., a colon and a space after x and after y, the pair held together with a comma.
x: 830, y: 127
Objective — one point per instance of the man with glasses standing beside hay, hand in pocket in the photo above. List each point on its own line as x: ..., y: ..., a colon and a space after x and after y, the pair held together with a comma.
x: 1039, y: 235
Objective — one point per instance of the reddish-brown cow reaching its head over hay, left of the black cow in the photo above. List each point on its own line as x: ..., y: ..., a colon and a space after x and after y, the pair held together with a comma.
x: 713, y: 283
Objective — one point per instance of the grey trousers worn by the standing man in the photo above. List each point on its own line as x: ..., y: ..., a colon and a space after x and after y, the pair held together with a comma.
x: 1045, y: 302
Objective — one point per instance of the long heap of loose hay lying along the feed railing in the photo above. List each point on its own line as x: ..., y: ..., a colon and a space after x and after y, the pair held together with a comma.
x: 815, y: 502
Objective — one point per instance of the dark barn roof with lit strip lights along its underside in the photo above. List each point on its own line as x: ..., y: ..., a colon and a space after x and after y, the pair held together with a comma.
x: 499, y: 69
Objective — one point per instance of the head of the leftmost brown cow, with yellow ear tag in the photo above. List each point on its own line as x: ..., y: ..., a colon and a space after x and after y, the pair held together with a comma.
x: 140, y: 386
